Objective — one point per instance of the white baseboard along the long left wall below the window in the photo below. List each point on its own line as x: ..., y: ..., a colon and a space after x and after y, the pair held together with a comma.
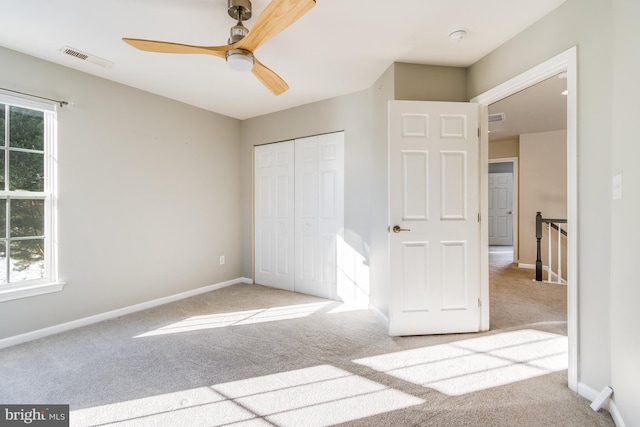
x: 63, y: 327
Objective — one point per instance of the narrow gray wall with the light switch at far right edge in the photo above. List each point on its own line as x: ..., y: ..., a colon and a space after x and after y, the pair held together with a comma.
x: 625, y: 231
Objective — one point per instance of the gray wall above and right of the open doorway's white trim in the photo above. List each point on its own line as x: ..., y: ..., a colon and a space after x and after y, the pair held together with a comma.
x: 587, y: 24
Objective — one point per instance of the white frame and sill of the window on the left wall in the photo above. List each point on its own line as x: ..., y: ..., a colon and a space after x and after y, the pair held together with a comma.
x: 49, y: 283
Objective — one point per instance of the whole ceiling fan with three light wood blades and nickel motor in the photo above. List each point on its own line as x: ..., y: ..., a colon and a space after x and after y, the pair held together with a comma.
x: 277, y: 16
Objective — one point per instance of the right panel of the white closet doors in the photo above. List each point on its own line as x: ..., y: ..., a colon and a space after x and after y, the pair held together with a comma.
x: 319, y: 212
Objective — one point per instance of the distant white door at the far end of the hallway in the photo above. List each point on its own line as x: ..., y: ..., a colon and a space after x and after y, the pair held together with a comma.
x: 501, y: 208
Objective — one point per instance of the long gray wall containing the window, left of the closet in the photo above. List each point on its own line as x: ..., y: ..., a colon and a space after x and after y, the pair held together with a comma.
x: 148, y: 196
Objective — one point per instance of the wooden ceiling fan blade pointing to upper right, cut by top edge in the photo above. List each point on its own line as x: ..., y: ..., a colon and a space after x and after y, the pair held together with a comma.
x: 277, y: 16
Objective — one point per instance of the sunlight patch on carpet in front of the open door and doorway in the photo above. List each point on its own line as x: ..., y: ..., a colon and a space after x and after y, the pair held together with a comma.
x: 476, y: 364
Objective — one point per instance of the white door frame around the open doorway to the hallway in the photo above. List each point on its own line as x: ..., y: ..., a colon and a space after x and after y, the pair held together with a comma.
x: 567, y: 62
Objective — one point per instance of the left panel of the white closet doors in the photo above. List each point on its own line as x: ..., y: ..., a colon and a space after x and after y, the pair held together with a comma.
x: 274, y: 215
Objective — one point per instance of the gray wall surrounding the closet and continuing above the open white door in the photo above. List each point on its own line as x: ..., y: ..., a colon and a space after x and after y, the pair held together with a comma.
x: 363, y: 117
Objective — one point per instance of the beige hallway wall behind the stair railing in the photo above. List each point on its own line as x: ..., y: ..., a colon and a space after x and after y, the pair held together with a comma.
x: 543, y: 188
